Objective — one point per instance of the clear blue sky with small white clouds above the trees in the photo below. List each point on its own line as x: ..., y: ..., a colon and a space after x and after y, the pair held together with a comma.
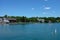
x: 30, y: 8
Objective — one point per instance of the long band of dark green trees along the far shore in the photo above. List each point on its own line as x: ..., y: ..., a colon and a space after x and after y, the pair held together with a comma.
x: 34, y: 19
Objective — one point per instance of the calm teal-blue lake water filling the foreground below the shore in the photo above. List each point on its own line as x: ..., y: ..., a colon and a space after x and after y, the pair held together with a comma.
x: 30, y: 31
